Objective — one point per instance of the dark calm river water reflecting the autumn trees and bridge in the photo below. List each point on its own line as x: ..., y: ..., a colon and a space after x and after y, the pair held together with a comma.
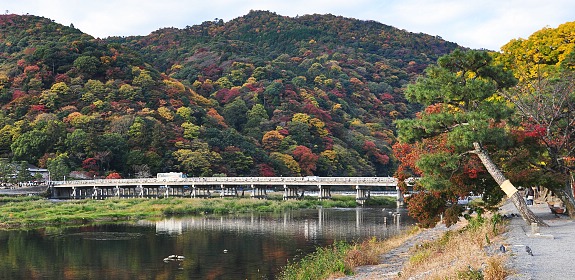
x: 229, y: 247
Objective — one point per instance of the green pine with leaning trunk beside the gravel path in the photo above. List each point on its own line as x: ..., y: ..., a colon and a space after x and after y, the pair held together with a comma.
x: 465, y: 115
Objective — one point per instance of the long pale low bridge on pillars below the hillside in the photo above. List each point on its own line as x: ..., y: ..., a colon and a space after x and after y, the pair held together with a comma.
x: 227, y: 186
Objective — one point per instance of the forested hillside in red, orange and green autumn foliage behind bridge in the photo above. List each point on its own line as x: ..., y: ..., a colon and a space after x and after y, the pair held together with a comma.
x: 259, y: 95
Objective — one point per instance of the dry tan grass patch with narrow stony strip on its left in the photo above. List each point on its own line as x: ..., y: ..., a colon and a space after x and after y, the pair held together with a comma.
x: 467, y: 250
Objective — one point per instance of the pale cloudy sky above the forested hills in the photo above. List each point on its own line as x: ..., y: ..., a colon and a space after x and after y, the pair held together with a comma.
x: 476, y: 24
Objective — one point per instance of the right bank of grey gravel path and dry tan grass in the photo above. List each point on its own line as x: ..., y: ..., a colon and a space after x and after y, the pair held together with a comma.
x: 482, y: 253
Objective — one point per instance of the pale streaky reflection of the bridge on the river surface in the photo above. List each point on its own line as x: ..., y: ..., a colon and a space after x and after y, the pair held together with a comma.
x: 326, y: 223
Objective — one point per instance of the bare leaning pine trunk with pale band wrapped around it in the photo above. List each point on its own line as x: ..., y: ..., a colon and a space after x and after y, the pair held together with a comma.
x: 507, y: 187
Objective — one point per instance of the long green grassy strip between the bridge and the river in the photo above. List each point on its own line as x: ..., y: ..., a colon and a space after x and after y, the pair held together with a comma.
x: 18, y: 212
